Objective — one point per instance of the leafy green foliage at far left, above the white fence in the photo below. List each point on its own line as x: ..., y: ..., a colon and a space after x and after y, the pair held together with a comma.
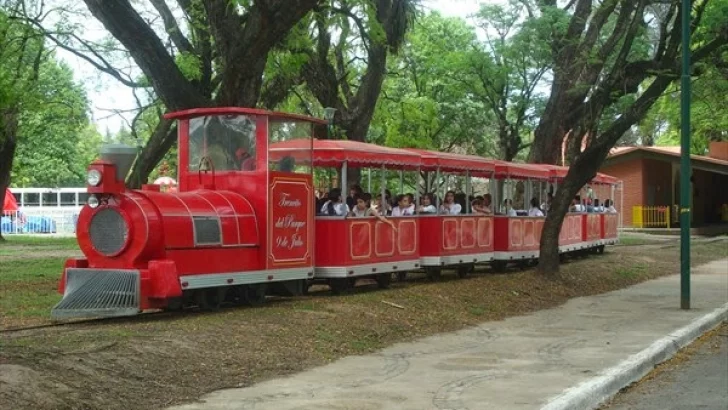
x: 53, y: 140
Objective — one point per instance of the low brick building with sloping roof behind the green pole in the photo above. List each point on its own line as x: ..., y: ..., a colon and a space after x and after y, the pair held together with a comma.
x: 651, y: 177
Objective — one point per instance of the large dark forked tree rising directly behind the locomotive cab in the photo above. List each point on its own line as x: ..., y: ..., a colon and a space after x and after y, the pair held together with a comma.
x: 191, y: 53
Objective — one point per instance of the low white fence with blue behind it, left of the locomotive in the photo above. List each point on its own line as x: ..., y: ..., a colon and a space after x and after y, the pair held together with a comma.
x: 36, y: 220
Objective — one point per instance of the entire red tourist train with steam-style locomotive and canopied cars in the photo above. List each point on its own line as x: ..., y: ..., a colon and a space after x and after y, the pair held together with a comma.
x: 243, y: 223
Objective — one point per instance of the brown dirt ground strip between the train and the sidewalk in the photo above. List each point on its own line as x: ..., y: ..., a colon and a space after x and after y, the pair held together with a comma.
x: 153, y: 361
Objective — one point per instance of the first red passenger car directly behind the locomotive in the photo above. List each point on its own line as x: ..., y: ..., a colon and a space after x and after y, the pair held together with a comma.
x: 348, y: 248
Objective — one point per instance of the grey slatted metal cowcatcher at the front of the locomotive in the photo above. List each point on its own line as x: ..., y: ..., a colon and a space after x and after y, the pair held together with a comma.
x: 99, y: 293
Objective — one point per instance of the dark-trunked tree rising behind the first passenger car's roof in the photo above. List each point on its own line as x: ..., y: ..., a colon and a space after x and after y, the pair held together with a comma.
x: 346, y: 59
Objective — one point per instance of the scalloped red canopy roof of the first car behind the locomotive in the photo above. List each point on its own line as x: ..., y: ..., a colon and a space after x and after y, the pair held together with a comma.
x: 333, y: 153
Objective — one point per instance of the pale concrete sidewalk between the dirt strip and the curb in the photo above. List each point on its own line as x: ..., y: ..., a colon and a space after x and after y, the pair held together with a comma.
x: 518, y: 363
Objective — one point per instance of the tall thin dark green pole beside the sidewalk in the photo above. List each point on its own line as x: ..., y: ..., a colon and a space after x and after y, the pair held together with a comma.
x: 685, y: 171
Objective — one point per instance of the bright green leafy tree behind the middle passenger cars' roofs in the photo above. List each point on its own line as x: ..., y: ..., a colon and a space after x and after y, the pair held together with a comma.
x: 423, y: 104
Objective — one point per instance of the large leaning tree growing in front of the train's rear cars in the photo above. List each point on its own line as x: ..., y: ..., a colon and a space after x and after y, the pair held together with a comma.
x: 601, y: 60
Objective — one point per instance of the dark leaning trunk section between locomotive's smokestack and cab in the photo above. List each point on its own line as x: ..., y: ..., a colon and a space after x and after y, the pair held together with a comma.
x: 162, y: 139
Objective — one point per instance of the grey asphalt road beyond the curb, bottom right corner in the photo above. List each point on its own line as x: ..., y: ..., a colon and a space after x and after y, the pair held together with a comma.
x: 699, y: 383
